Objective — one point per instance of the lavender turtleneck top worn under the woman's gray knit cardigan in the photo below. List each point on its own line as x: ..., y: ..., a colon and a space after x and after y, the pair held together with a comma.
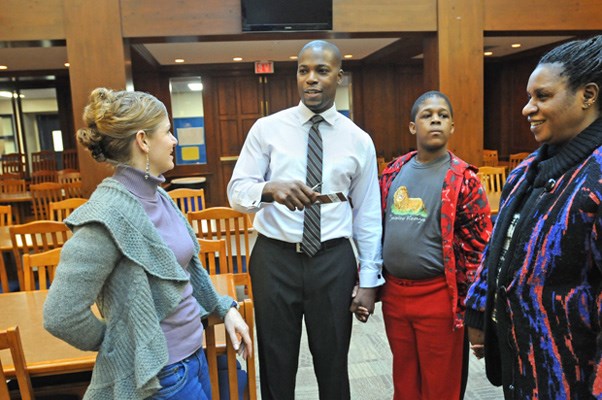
x: 182, y: 328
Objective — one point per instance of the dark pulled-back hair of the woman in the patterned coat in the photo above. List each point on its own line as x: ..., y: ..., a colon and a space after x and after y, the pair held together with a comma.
x: 581, y: 61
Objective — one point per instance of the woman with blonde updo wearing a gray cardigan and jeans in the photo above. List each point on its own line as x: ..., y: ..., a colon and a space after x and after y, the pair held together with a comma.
x: 134, y: 254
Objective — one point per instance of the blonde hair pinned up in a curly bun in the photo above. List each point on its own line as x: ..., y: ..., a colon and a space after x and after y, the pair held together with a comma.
x: 112, y: 119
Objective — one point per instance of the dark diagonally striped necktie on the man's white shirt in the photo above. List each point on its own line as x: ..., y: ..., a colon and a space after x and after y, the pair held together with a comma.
x: 311, y: 242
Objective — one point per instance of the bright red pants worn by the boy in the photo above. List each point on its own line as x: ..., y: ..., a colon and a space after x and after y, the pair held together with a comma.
x: 427, y: 353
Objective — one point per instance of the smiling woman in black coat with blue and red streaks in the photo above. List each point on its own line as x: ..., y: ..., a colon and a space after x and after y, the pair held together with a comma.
x: 534, y: 310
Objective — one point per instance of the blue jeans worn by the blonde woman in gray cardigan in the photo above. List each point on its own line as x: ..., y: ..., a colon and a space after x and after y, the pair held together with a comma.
x: 185, y: 380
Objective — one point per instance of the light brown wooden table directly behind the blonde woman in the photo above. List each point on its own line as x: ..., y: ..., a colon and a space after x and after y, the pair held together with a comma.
x: 45, y: 354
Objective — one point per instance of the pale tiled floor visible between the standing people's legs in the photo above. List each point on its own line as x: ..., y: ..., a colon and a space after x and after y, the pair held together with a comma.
x: 370, y: 367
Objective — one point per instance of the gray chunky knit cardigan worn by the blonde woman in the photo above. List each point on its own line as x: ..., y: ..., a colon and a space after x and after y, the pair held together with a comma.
x: 117, y: 259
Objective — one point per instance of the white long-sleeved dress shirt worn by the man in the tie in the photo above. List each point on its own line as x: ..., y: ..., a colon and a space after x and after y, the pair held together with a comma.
x: 276, y: 149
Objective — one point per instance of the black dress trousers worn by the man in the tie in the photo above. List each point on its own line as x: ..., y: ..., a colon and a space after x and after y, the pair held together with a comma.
x: 288, y: 286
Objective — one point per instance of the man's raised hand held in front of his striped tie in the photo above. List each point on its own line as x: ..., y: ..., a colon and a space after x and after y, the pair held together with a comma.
x: 295, y: 195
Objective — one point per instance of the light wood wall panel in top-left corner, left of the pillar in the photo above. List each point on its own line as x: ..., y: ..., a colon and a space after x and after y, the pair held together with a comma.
x: 31, y: 20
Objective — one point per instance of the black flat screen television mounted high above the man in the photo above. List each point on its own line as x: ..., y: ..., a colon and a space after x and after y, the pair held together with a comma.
x: 286, y: 15
